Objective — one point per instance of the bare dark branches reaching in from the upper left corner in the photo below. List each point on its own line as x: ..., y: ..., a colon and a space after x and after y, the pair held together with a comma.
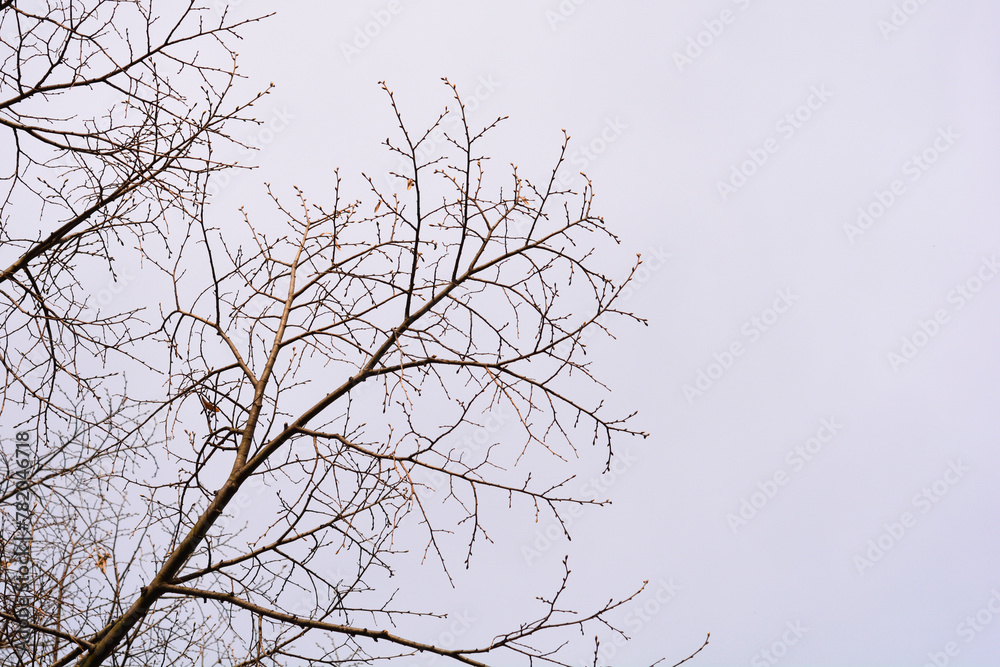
x: 112, y: 112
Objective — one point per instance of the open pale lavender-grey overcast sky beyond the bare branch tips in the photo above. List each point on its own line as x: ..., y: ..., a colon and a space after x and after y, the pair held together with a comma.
x: 813, y: 188
